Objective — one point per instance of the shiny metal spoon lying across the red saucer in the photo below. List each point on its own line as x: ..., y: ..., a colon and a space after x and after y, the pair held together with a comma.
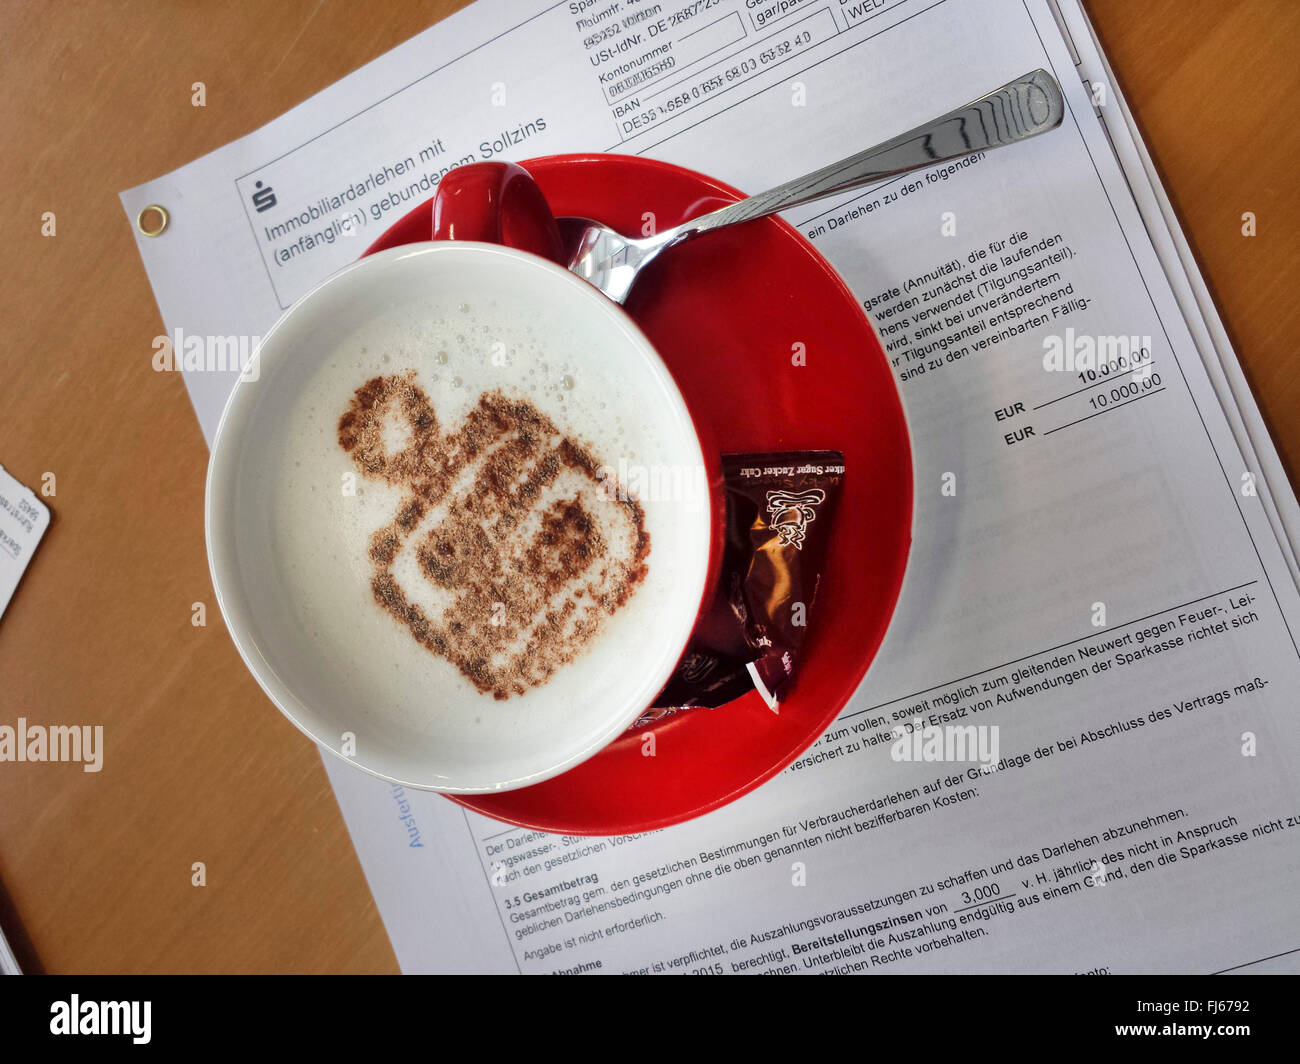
x: 1024, y: 109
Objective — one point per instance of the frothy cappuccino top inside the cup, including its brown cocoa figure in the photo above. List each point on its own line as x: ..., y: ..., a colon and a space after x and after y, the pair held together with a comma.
x: 448, y: 527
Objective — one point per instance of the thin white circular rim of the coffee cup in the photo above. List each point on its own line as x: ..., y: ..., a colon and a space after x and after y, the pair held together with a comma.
x: 224, y: 572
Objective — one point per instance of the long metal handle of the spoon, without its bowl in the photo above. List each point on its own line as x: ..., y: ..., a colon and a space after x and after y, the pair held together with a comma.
x: 1024, y: 109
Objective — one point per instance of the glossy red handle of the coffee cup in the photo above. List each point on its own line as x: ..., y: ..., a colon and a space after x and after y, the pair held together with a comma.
x: 496, y: 204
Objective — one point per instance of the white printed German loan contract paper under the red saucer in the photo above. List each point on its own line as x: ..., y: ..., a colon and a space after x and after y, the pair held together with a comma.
x: 1098, y: 564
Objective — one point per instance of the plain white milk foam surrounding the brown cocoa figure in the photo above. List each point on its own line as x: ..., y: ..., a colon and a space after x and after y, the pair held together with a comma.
x: 457, y: 352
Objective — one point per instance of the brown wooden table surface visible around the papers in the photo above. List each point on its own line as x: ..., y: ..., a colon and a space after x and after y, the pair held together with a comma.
x: 96, y: 870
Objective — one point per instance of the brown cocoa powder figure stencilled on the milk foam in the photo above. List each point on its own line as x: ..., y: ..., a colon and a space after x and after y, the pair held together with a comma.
x: 501, y: 516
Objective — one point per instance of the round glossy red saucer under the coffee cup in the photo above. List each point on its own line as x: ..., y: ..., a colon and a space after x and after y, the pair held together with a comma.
x: 726, y: 314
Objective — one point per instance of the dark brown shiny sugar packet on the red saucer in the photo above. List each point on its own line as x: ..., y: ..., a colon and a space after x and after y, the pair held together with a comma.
x: 779, y: 512
